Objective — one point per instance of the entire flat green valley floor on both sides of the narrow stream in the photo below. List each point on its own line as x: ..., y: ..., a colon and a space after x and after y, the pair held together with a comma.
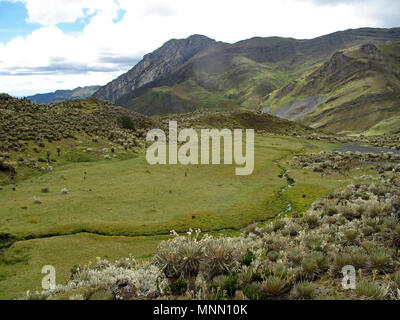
x: 126, y: 207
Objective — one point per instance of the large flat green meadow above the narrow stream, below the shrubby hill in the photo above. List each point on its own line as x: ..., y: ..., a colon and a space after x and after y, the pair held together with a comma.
x: 121, y: 198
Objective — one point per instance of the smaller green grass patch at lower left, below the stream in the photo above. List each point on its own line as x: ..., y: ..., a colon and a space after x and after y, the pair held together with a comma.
x: 21, y: 266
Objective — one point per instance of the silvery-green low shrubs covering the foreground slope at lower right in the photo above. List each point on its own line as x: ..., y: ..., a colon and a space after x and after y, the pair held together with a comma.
x: 299, y: 257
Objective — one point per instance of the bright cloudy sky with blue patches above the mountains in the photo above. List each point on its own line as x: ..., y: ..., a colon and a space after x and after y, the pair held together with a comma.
x: 46, y: 45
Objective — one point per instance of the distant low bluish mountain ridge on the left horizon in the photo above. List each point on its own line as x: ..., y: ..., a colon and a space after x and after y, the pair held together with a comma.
x: 63, y: 95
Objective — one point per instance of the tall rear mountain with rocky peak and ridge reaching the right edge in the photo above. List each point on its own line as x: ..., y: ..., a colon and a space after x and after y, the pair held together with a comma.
x: 221, y: 76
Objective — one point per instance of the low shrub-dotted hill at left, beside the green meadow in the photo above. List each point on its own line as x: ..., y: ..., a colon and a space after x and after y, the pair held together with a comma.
x: 37, y: 137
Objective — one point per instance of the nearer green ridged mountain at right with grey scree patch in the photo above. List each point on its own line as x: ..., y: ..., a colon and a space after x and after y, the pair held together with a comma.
x: 354, y: 90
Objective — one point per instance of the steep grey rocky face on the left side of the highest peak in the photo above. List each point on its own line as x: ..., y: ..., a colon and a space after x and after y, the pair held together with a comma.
x: 154, y: 66
